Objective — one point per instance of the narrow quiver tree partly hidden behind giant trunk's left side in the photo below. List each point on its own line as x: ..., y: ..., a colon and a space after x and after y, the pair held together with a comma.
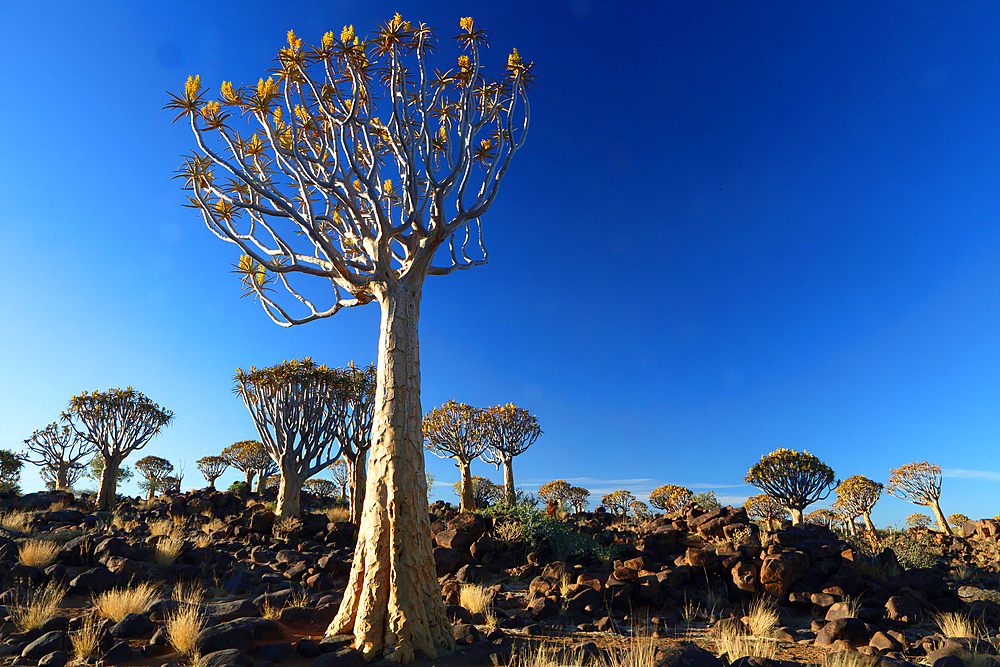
x: 355, y: 432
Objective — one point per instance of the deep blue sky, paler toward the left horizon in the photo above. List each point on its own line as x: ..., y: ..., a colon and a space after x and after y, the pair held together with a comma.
x: 734, y: 227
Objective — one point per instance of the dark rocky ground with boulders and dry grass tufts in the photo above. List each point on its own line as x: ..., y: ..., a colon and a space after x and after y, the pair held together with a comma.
x: 667, y: 592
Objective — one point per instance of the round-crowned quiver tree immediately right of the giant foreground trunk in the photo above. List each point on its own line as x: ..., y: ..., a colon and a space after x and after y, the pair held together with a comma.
x: 456, y: 431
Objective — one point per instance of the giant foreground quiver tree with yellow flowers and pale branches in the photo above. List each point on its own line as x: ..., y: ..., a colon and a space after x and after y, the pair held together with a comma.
x: 354, y: 166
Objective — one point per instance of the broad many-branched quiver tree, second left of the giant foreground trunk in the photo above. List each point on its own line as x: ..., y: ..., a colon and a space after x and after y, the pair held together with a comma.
x: 296, y: 407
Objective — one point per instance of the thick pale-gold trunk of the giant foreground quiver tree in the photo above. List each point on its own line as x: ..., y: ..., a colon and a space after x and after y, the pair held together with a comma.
x: 392, y: 604
